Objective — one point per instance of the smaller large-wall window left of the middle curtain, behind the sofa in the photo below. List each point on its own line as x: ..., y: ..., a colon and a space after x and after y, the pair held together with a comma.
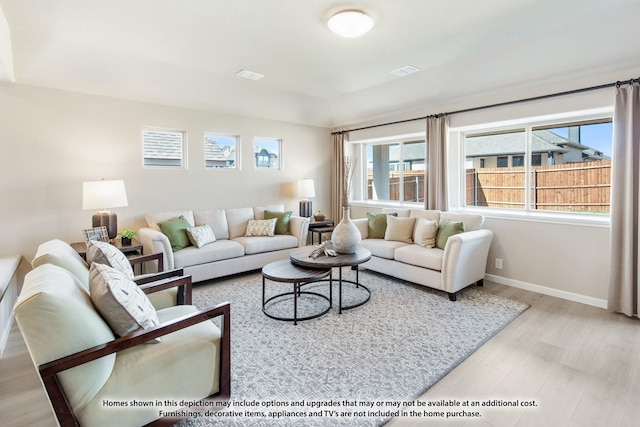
x: 395, y: 171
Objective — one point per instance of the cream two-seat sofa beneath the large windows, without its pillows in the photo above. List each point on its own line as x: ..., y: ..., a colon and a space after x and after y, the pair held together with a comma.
x: 462, y: 261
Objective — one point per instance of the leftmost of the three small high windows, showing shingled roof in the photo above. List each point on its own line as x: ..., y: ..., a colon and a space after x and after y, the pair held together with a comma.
x: 163, y: 148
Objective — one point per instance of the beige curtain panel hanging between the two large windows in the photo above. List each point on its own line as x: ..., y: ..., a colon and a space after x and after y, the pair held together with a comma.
x: 436, y: 170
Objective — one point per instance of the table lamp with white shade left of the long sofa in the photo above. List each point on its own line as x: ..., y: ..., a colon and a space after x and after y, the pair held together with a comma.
x: 104, y: 195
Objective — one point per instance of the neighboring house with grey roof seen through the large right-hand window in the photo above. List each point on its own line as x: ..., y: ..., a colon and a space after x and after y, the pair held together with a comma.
x: 547, y: 148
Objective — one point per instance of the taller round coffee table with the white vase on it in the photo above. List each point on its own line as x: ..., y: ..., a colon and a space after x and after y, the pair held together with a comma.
x: 301, y: 257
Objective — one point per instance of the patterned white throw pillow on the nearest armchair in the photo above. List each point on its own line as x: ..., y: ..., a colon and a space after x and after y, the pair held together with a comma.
x: 122, y: 304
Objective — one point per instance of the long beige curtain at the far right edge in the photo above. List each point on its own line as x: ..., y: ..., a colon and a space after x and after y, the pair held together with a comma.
x: 625, y: 202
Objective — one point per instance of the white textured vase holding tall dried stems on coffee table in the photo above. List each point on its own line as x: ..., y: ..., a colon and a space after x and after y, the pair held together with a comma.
x: 346, y: 236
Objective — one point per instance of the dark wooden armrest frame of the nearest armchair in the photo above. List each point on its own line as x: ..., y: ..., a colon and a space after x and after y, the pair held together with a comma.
x: 49, y: 371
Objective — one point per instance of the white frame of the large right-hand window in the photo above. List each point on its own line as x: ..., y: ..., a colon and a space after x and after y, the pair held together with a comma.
x: 530, y: 124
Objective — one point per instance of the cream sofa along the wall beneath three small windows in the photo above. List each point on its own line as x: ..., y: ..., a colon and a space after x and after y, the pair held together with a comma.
x: 231, y: 252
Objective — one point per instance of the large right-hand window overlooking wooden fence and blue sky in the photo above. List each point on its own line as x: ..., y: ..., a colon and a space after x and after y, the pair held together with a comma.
x: 563, y: 167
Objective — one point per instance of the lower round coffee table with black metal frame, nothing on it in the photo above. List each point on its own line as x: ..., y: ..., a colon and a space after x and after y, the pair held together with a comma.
x: 286, y: 272
